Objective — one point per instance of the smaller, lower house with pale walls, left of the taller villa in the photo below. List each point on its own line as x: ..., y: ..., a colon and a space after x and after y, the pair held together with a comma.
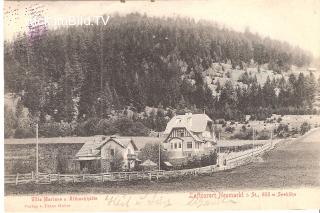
x: 107, y: 154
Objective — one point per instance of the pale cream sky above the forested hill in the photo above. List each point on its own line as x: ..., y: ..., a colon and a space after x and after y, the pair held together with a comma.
x: 294, y: 21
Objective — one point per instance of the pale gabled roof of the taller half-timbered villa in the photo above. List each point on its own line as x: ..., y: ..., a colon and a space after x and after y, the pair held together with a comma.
x: 192, y: 122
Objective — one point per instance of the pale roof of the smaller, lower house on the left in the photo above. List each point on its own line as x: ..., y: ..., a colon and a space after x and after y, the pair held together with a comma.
x: 92, y: 148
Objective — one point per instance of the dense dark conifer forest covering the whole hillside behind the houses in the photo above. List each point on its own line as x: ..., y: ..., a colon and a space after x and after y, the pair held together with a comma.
x: 81, y: 78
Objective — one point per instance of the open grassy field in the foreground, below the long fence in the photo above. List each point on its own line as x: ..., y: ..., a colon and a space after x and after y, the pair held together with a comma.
x: 291, y: 164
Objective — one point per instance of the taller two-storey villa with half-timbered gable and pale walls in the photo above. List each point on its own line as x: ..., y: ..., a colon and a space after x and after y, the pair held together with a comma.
x: 188, y: 135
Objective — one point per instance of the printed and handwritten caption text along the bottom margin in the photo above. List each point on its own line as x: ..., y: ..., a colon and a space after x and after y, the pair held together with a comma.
x: 127, y: 201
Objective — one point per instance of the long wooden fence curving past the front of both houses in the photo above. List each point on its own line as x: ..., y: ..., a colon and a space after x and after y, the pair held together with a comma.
x: 43, y: 178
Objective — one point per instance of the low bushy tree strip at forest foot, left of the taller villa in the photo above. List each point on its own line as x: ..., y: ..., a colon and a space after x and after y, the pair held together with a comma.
x: 126, y: 123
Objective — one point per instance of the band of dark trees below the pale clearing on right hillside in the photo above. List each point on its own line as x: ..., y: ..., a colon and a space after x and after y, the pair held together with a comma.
x: 294, y: 95
